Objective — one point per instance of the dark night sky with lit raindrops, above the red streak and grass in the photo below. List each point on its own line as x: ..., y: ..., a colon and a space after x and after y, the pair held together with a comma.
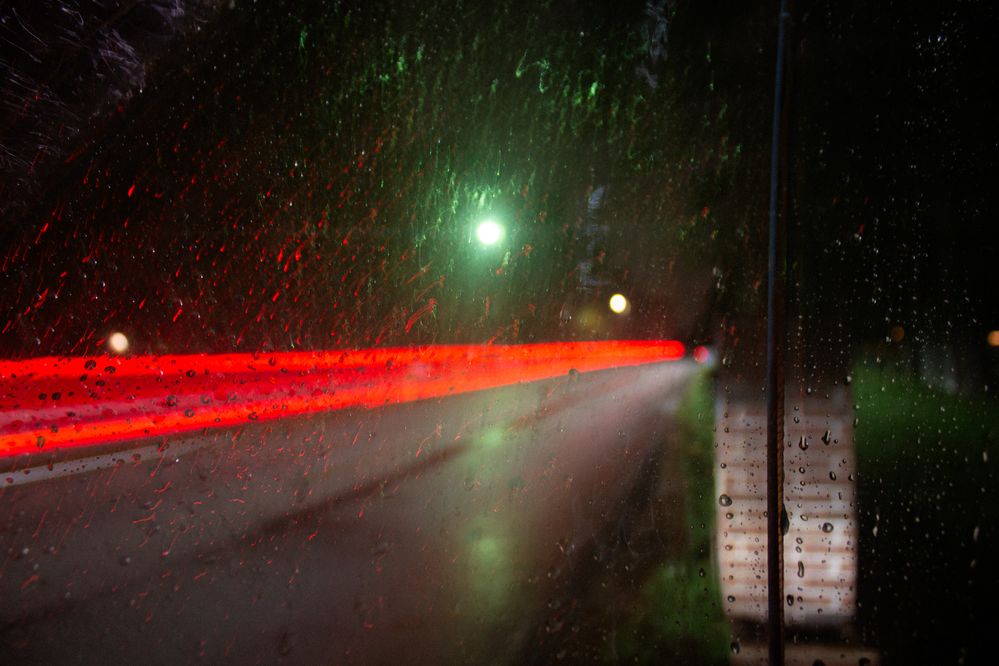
x: 309, y: 175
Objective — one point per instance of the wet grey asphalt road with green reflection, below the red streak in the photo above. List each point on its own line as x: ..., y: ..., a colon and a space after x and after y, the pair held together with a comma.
x: 438, y: 531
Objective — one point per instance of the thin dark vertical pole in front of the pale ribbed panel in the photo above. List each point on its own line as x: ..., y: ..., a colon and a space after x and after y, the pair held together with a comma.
x: 775, y: 375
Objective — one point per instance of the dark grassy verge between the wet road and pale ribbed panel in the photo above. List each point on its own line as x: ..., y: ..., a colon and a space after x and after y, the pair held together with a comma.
x: 647, y: 591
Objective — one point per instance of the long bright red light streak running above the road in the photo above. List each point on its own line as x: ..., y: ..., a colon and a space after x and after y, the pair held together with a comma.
x: 54, y: 403
